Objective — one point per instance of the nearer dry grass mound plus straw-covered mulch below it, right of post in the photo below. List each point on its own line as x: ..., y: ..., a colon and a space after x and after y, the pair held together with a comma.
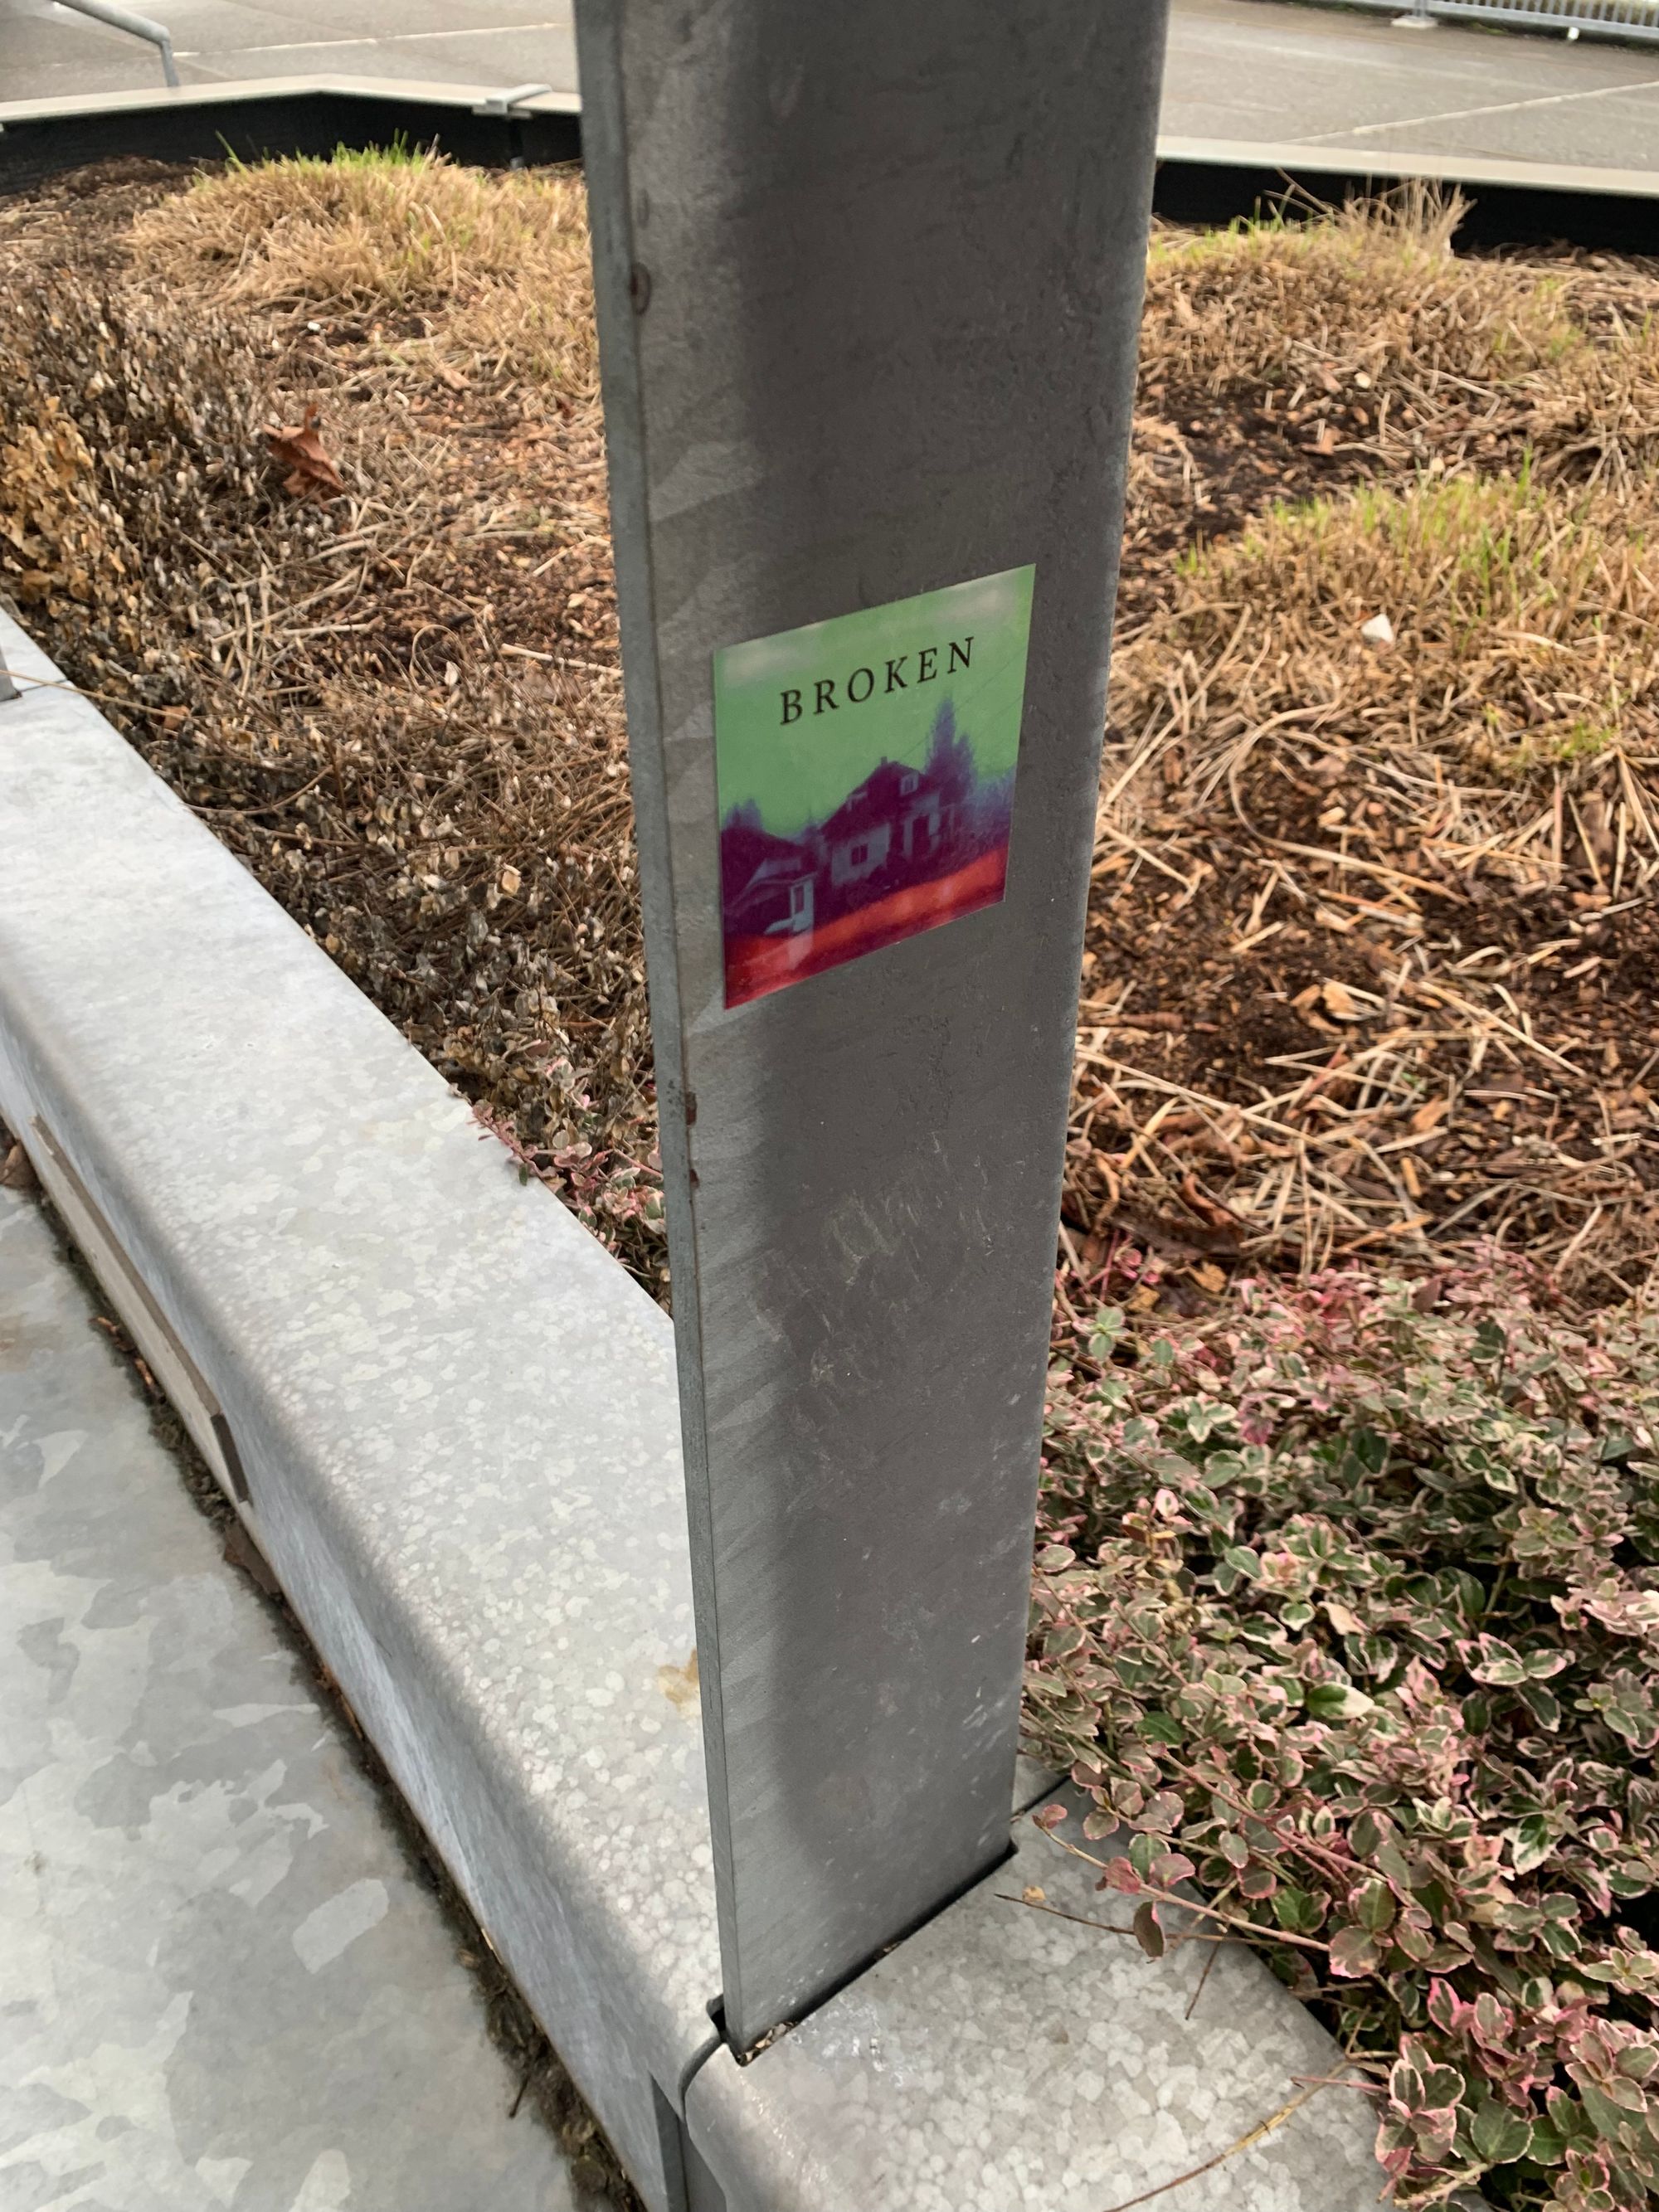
x: 1404, y: 890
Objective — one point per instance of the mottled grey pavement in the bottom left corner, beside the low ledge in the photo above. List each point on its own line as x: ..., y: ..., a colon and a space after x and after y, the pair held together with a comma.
x: 220, y: 1985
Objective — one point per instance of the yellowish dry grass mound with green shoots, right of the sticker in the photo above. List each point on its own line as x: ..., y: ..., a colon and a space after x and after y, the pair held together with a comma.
x: 1525, y: 669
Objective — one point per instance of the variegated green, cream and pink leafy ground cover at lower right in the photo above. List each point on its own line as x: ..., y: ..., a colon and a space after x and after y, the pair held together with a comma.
x: 1348, y: 1611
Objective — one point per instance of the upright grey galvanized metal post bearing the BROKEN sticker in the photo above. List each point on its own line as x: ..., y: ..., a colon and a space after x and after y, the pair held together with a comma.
x: 868, y: 289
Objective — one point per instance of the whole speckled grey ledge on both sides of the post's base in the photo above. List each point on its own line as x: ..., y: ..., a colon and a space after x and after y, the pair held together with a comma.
x: 459, y: 1439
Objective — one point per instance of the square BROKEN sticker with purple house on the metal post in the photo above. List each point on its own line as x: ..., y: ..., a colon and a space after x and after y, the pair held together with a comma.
x: 866, y: 778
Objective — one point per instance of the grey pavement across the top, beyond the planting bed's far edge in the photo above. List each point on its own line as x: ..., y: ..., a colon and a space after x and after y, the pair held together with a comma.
x: 1240, y: 70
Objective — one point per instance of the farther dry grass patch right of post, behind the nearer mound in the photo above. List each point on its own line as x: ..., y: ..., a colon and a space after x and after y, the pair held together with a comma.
x: 1295, y: 359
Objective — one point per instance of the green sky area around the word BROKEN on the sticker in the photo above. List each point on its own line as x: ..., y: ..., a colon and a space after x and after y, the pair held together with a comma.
x: 800, y: 773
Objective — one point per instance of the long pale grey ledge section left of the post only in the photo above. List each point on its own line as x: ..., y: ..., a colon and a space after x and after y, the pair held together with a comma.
x: 455, y: 1412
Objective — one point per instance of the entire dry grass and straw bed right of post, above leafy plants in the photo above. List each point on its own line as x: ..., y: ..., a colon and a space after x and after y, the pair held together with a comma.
x: 1373, y: 943
